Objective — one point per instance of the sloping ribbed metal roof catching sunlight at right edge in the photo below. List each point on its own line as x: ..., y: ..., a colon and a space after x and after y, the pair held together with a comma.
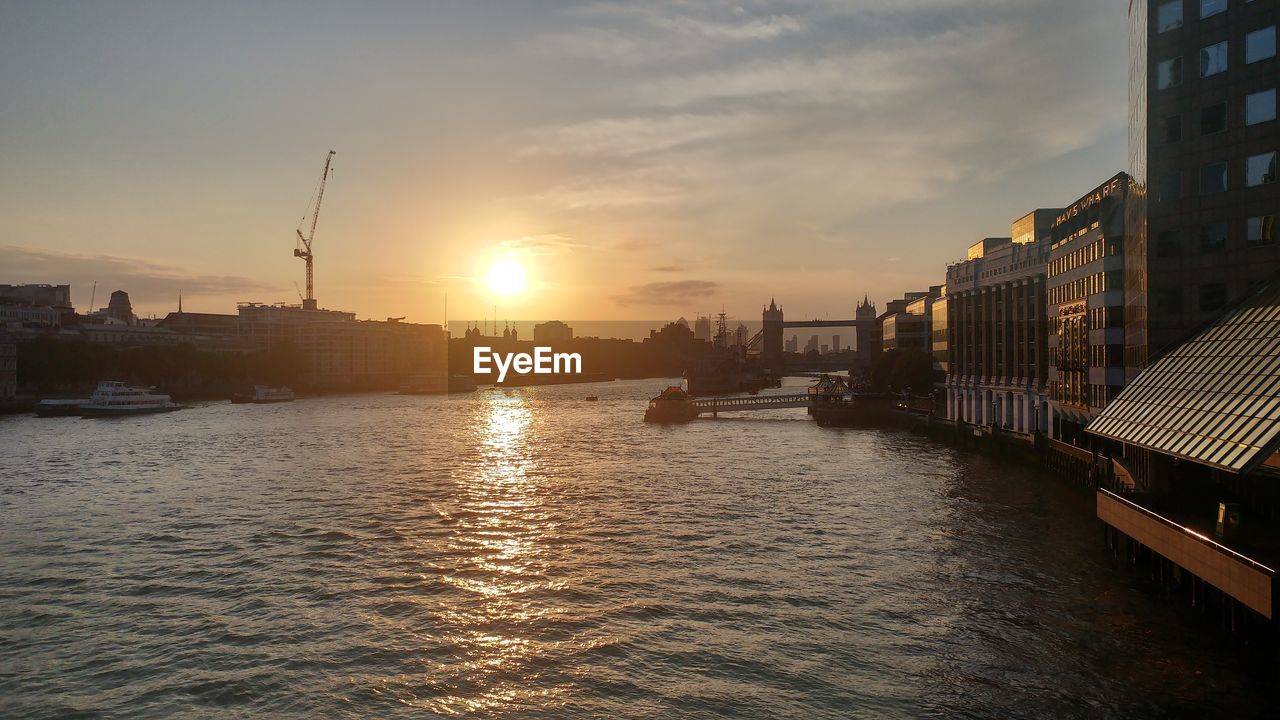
x: 1213, y: 400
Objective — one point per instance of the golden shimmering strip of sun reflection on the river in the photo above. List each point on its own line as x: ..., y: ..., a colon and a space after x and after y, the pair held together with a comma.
x: 501, y: 569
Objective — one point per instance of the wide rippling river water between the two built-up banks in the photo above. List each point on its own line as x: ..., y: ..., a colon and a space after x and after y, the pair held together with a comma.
x: 532, y: 554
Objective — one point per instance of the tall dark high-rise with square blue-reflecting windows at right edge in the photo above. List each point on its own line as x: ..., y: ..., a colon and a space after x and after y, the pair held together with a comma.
x: 1203, y: 148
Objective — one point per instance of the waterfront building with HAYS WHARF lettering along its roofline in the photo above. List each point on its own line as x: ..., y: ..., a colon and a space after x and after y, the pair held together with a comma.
x: 1087, y: 306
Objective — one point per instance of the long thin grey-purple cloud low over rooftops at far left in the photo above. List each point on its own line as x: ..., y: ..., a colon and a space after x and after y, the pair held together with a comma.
x: 144, y: 280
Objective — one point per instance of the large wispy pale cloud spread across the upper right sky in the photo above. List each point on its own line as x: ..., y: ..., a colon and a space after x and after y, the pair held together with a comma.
x: 849, y: 111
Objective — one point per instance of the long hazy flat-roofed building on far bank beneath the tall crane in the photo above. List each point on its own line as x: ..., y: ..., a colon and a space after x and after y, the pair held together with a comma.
x: 341, y: 352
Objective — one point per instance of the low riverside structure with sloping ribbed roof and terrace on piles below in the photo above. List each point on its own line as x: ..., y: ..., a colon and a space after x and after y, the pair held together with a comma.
x: 1200, y: 431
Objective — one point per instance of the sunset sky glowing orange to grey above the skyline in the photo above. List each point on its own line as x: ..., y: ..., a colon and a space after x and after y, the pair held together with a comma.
x: 639, y: 161
